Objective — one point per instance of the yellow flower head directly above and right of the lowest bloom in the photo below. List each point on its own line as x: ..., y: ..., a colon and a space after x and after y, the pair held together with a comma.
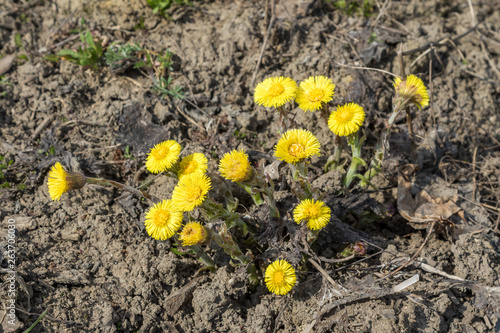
x: 316, y: 214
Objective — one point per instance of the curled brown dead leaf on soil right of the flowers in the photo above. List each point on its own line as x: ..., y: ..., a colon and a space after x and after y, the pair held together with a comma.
x: 422, y: 209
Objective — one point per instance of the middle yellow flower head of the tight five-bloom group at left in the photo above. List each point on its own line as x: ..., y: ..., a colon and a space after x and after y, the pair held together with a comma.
x: 191, y: 191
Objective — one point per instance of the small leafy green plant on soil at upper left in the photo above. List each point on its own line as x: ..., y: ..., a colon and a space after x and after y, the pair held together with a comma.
x: 89, y: 56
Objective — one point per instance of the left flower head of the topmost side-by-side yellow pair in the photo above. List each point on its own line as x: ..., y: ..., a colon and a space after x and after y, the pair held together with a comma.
x: 275, y: 91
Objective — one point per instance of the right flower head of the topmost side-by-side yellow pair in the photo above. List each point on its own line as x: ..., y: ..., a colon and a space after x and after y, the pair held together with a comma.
x: 314, y: 92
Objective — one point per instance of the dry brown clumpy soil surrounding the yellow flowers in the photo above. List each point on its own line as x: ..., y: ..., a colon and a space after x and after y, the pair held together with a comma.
x: 87, y: 258
